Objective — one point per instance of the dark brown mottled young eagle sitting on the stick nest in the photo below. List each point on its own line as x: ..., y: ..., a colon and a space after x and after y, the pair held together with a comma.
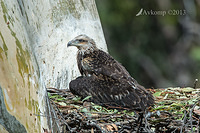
x: 105, y: 79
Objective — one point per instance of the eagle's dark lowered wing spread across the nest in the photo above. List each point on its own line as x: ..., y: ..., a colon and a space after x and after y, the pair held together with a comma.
x: 112, y: 95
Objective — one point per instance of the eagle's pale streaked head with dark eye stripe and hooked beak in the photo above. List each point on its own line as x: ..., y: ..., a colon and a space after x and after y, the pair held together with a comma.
x: 82, y: 42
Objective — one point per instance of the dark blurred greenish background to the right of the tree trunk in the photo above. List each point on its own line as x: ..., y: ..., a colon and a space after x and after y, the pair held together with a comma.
x: 158, y: 51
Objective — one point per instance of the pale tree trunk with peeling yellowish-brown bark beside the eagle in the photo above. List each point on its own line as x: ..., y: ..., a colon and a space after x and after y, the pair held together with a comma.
x: 34, y: 55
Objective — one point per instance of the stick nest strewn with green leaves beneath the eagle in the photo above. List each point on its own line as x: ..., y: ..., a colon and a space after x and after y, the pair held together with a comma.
x: 176, y: 110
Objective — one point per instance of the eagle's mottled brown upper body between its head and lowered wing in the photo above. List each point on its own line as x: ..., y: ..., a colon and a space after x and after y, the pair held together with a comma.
x: 101, y: 63
